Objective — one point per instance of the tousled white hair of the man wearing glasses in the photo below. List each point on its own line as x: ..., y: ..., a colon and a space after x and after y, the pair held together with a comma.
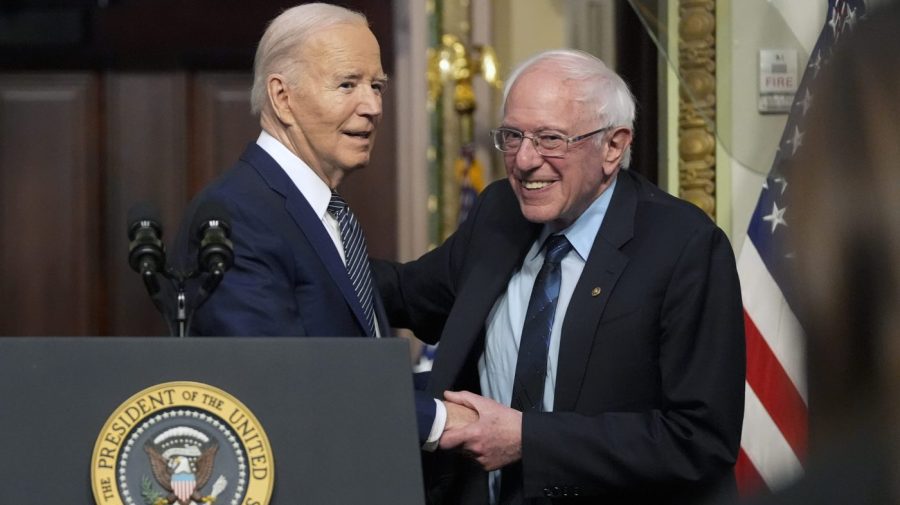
x: 601, y: 86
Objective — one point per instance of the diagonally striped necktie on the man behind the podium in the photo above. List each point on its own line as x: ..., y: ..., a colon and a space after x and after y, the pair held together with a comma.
x: 356, y: 255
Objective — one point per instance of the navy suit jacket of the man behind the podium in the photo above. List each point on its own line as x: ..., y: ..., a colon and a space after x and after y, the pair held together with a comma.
x: 288, y: 278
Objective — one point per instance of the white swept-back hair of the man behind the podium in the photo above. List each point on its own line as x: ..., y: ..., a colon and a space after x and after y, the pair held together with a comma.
x: 287, y: 32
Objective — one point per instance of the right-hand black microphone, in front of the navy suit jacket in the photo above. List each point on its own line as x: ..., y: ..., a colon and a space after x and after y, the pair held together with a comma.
x: 216, y: 253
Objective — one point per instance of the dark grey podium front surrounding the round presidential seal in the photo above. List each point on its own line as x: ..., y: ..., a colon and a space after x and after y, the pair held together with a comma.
x: 338, y: 412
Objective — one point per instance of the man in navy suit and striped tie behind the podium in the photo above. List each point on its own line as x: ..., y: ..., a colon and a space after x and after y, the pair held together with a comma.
x: 300, y: 262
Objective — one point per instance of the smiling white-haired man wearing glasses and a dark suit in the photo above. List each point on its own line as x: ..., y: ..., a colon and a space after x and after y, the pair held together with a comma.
x: 593, y: 321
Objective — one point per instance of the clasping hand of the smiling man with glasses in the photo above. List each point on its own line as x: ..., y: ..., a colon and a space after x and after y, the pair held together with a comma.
x: 494, y: 440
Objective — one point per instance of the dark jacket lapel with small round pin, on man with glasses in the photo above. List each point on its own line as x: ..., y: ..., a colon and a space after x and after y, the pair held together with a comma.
x: 604, y: 266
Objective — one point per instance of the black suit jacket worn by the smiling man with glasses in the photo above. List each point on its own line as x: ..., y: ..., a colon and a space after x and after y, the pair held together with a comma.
x: 650, y: 384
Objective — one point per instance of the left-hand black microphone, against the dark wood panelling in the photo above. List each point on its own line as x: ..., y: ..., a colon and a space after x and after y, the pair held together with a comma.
x: 146, y: 251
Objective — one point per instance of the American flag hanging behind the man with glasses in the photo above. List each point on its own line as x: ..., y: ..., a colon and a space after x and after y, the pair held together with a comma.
x: 773, y: 444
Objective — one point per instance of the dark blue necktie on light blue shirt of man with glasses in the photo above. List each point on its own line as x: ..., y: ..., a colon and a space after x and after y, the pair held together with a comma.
x: 531, y: 366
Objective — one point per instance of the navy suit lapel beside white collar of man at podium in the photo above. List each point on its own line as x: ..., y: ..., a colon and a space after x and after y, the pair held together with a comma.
x: 309, y: 223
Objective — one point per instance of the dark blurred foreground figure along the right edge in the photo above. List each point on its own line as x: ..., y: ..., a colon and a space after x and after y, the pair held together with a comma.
x: 845, y: 225
